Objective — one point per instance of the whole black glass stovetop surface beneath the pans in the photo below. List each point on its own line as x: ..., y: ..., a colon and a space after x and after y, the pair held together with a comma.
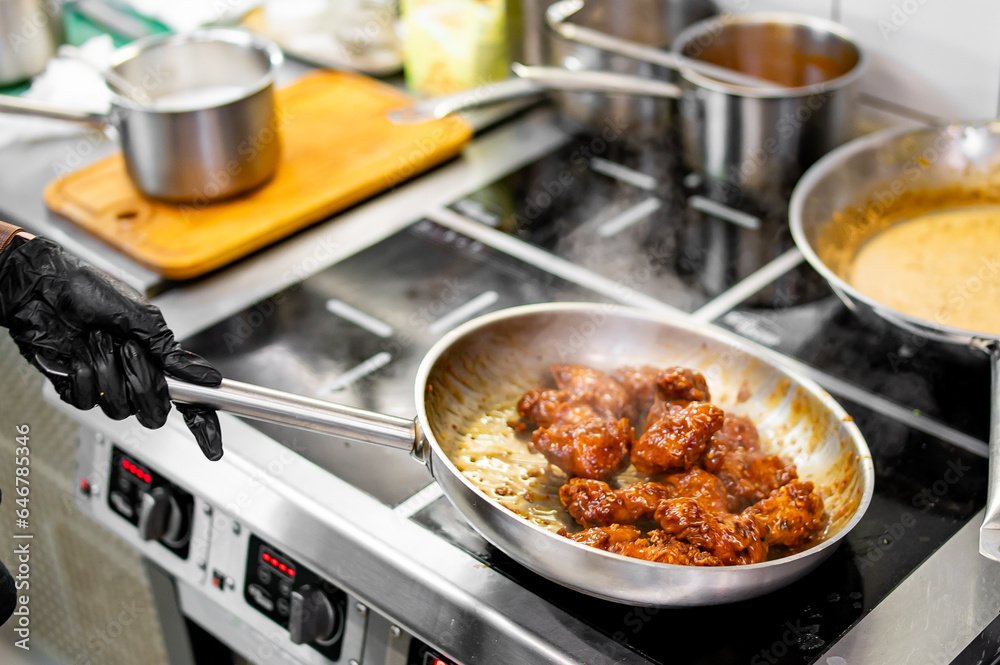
x: 355, y: 333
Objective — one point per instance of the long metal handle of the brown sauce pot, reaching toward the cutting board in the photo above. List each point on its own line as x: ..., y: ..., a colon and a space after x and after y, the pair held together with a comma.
x: 533, y: 81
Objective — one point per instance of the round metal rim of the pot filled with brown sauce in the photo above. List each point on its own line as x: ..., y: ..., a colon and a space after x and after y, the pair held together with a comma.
x: 724, y: 20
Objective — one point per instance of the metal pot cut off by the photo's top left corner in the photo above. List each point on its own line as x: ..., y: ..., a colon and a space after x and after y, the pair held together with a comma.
x: 30, y: 31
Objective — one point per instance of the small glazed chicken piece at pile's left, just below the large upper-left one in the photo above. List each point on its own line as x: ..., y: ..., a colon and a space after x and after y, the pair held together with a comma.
x: 594, y: 503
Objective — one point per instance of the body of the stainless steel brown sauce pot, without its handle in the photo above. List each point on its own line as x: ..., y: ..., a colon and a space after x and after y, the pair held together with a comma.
x: 757, y: 143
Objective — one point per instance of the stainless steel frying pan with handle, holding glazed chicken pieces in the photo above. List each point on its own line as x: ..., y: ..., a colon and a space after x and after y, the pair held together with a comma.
x: 496, y: 358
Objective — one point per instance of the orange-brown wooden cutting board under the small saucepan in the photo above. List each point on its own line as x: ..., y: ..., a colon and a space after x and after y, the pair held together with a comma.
x: 338, y: 148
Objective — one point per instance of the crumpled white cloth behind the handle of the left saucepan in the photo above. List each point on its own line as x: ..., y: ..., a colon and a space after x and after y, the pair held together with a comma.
x: 68, y: 83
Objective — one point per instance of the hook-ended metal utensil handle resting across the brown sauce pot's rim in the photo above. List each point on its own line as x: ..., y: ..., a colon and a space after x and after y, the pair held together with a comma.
x: 558, y: 13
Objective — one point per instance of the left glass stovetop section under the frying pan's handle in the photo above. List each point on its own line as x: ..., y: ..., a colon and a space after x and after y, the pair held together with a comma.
x: 356, y: 332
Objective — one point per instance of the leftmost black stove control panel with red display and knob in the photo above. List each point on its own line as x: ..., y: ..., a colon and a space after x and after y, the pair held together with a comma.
x: 159, y: 510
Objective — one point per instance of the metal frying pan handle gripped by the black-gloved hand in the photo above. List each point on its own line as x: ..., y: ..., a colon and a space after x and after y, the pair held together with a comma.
x: 315, y: 415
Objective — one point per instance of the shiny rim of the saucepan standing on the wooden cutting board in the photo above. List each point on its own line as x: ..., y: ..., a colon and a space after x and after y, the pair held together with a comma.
x: 235, y: 37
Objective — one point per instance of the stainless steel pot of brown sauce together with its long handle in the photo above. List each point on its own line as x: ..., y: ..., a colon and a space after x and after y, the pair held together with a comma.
x: 751, y: 143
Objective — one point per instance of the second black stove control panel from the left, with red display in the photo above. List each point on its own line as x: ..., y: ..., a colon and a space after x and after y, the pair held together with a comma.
x: 310, y: 608
